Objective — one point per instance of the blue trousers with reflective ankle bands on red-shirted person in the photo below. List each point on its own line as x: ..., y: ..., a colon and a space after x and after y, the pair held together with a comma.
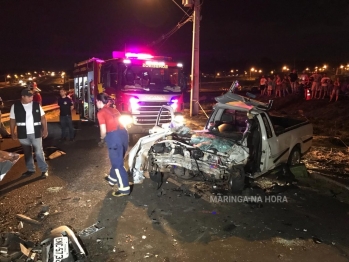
x: 117, y: 142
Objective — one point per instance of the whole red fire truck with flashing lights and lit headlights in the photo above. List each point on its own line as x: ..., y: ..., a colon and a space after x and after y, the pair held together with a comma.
x: 140, y: 84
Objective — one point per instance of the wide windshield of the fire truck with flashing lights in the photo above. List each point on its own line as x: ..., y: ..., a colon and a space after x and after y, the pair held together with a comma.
x: 139, y: 78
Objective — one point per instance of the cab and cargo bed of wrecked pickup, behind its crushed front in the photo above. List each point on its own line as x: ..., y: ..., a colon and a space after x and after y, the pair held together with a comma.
x: 271, y: 140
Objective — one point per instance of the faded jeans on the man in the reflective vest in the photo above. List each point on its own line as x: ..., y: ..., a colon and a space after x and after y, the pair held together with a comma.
x: 28, y: 144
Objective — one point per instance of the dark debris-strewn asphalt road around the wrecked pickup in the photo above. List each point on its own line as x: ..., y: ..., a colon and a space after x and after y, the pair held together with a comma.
x: 177, y: 222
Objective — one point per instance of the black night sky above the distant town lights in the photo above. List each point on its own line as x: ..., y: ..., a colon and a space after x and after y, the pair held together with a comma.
x: 53, y: 34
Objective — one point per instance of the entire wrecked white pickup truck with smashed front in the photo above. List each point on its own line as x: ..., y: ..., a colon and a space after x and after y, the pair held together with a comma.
x: 241, y: 139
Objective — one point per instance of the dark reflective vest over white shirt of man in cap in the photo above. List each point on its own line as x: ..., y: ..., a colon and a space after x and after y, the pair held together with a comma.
x: 20, y: 116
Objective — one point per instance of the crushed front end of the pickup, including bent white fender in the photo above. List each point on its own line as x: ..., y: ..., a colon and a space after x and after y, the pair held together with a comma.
x: 180, y: 151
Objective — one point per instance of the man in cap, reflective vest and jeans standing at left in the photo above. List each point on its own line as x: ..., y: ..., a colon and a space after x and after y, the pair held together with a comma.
x: 31, y: 124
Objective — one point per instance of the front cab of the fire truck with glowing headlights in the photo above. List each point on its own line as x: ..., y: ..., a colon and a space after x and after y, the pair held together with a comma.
x: 141, y: 84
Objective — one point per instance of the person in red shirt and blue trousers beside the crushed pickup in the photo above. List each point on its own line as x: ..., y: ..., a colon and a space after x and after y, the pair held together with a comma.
x: 116, y: 138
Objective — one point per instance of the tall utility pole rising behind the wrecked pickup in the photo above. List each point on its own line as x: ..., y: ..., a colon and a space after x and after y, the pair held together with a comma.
x: 195, y: 71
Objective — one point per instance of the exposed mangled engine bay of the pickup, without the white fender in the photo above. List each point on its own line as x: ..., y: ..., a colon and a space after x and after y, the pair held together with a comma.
x: 198, y: 156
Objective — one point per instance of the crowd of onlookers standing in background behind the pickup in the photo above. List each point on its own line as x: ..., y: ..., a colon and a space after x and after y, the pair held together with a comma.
x: 314, y: 86
